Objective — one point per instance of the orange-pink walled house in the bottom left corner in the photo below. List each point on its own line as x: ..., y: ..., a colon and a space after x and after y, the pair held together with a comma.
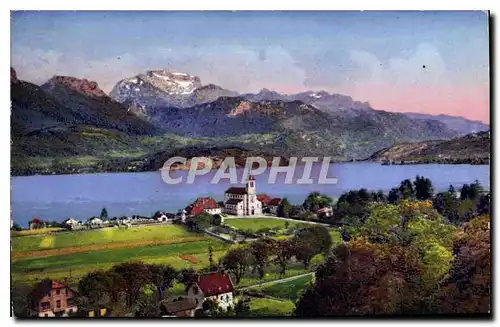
x: 51, y: 298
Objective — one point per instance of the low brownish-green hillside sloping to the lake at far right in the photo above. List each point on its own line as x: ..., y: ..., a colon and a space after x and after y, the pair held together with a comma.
x: 472, y: 148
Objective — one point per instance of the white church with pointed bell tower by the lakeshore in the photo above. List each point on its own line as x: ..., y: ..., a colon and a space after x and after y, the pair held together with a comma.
x: 242, y: 201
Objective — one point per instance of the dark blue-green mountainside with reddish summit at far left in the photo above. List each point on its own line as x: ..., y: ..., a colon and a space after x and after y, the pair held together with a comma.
x: 71, y: 121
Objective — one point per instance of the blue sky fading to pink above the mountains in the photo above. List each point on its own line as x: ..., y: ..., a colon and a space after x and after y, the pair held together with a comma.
x: 429, y: 62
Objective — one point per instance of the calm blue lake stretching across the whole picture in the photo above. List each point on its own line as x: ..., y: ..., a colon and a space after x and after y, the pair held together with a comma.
x: 57, y: 197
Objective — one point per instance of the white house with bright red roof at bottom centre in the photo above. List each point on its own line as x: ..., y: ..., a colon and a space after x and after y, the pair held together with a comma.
x: 216, y: 286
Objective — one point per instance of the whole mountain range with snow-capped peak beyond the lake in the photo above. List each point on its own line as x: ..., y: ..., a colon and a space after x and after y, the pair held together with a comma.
x: 71, y: 122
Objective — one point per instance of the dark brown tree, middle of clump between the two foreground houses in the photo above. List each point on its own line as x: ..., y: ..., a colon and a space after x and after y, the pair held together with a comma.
x: 134, y: 275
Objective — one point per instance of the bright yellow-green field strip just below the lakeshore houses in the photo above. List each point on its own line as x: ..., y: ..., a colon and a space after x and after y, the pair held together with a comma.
x: 99, y: 236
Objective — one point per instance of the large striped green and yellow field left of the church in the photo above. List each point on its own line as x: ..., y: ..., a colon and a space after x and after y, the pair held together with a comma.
x: 74, y: 254
